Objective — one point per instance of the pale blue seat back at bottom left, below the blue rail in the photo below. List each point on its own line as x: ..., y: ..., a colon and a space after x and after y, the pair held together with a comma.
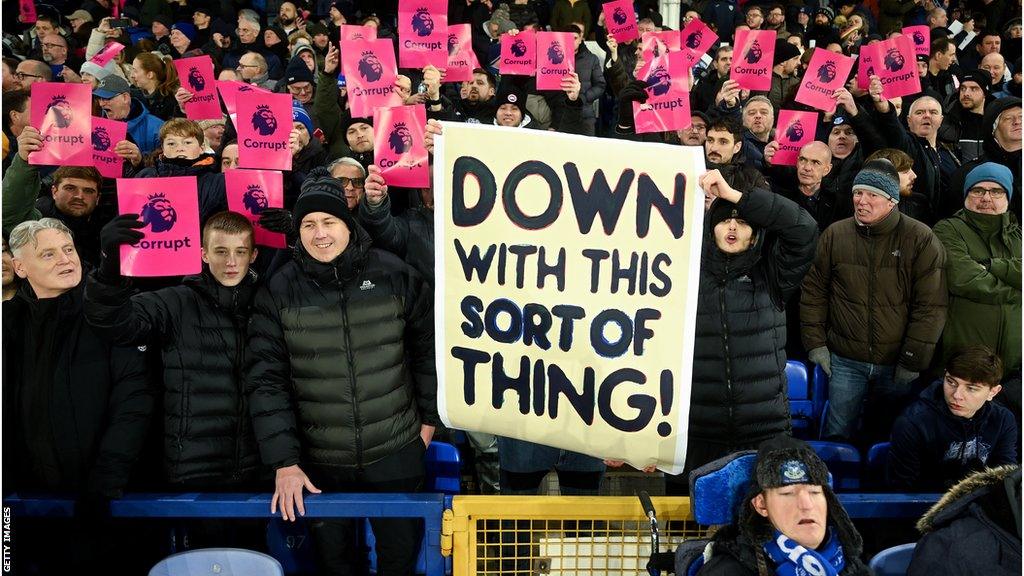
x: 220, y: 562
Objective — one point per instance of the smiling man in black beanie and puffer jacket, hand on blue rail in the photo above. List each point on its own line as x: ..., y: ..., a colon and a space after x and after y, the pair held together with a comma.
x: 356, y: 415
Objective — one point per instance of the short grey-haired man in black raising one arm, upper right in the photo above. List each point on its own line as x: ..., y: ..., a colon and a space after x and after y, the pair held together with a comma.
x: 920, y: 139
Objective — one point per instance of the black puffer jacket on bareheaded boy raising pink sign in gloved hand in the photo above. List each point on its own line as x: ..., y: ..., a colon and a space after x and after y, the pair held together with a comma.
x: 201, y: 327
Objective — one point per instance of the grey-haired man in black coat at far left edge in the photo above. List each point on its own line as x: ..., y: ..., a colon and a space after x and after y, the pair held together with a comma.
x: 76, y: 409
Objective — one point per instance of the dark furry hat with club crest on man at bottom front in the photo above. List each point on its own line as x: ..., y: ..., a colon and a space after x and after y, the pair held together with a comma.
x: 785, y: 461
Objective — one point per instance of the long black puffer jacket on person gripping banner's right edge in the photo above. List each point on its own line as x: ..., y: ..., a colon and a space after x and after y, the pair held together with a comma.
x: 739, y: 393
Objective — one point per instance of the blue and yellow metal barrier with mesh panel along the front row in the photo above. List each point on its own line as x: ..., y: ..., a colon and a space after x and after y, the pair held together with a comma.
x: 486, y: 536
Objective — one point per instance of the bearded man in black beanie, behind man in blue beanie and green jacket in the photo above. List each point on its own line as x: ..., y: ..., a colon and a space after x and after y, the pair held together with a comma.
x: 962, y: 125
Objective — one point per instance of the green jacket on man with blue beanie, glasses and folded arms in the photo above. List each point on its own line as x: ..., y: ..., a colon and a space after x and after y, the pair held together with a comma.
x: 984, y: 274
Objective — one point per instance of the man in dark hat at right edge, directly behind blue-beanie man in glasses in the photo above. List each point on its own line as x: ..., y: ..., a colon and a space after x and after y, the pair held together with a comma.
x: 1003, y: 146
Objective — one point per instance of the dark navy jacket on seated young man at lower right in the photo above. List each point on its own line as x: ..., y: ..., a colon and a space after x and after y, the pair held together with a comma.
x: 932, y: 449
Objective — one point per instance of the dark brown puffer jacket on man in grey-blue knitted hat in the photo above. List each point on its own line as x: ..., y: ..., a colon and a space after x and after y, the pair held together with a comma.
x: 877, y: 294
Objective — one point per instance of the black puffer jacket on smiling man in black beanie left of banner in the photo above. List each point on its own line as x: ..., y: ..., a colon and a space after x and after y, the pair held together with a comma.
x: 342, y: 364
